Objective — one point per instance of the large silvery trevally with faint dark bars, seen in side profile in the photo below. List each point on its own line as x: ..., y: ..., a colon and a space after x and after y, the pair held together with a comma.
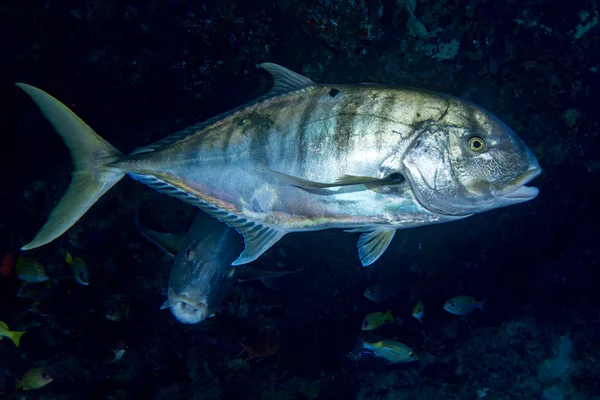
x: 368, y: 158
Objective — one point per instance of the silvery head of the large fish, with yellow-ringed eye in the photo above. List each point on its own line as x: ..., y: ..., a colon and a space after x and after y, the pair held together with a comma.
x: 469, y: 162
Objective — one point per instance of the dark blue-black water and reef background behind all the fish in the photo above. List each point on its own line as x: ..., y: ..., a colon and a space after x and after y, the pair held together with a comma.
x: 138, y: 71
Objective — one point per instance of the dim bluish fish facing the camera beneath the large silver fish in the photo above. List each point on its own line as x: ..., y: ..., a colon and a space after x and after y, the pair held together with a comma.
x: 202, y: 274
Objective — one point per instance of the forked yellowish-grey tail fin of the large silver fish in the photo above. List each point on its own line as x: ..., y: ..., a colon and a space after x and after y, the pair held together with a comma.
x: 91, y: 177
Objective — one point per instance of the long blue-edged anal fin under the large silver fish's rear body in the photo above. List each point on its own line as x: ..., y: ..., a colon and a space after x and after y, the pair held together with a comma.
x: 258, y: 238
